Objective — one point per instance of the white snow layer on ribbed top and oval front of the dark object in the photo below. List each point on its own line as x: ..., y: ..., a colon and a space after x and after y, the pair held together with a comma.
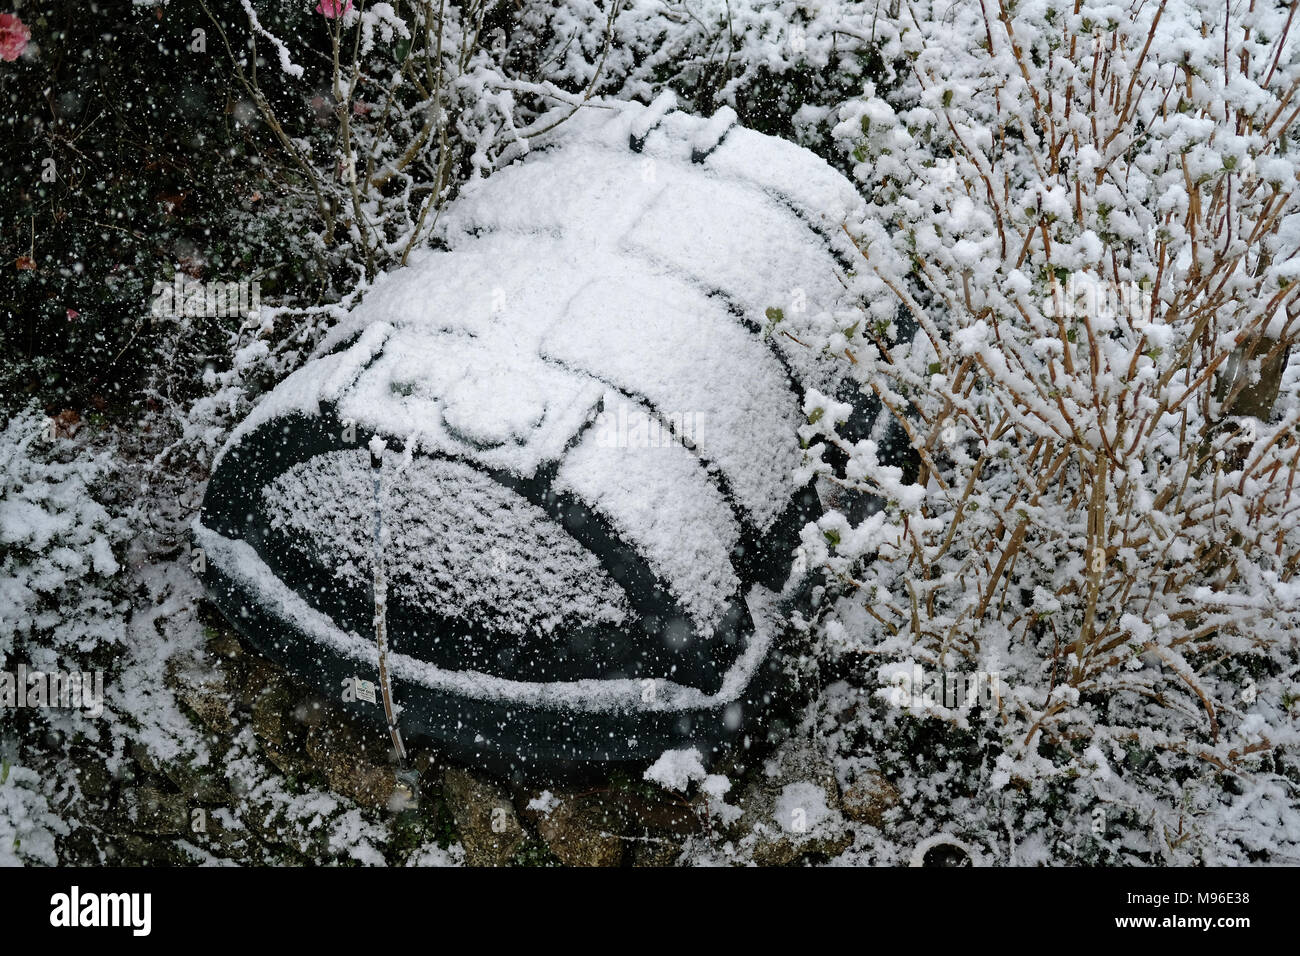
x: 632, y: 287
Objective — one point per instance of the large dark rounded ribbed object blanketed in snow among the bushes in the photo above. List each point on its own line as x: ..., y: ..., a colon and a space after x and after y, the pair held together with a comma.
x: 591, y: 397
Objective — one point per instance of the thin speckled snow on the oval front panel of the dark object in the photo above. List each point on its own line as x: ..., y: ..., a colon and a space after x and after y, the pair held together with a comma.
x: 457, y: 544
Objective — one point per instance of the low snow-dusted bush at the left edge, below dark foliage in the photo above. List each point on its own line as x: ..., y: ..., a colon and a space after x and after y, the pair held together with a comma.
x: 63, y: 608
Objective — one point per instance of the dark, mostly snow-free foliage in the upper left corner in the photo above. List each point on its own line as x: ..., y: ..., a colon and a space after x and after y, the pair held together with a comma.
x: 154, y: 171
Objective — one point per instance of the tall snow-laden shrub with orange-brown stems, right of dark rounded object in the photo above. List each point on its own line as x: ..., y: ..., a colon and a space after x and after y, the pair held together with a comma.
x: 1080, y: 270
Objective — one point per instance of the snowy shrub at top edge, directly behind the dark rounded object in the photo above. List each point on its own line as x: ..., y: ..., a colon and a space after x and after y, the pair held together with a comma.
x: 783, y: 66
